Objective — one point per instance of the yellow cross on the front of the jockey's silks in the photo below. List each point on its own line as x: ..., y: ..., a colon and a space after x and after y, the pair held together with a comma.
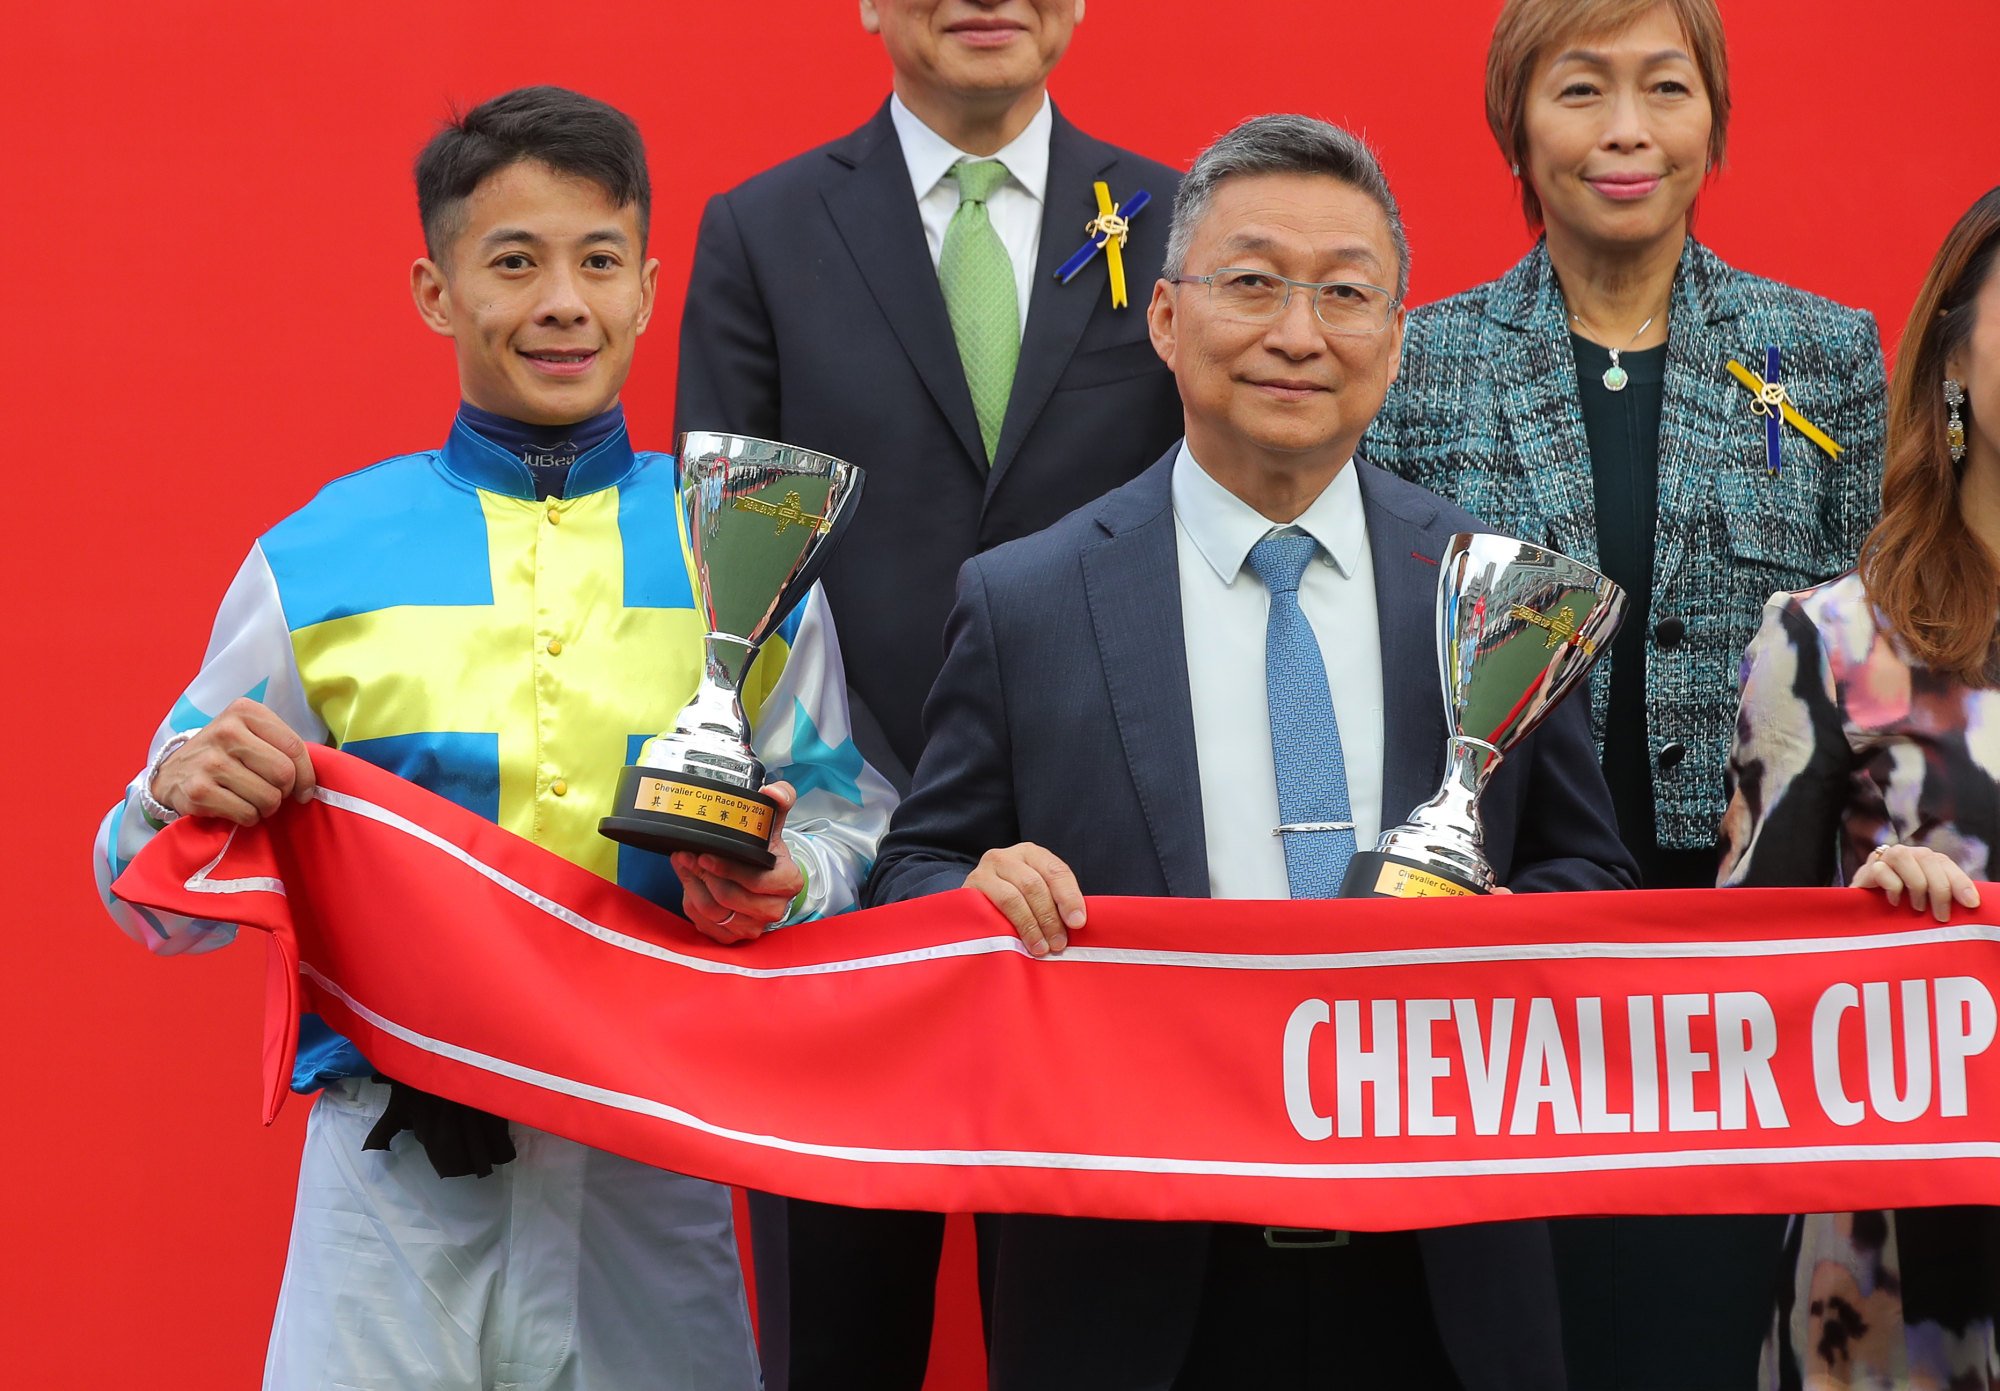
x: 557, y: 667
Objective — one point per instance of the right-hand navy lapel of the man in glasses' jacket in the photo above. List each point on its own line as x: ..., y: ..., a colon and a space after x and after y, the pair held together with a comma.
x: 1405, y: 551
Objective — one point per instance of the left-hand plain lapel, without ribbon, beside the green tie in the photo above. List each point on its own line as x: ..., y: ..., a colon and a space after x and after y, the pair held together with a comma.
x: 875, y: 213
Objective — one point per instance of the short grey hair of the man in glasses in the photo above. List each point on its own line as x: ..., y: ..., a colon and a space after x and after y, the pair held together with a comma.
x: 1283, y: 145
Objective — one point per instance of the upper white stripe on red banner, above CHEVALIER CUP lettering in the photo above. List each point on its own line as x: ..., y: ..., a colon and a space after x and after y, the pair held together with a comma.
x: 1137, y: 956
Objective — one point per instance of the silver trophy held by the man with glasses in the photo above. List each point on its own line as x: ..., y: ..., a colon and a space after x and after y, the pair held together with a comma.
x: 1519, y: 629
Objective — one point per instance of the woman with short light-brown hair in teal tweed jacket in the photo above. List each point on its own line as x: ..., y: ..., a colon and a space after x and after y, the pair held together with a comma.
x: 1489, y: 413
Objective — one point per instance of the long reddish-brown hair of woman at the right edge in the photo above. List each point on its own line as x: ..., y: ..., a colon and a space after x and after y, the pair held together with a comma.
x: 1931, y: 579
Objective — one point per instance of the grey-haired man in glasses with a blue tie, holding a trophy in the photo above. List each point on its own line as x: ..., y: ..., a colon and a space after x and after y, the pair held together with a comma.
x: 1137, y: 700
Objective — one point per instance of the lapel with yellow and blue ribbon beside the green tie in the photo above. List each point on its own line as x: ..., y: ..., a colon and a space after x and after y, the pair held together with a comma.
x: 1057, y: 315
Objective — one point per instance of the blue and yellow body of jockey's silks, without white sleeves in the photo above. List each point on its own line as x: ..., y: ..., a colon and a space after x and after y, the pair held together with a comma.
x: 505, y: 653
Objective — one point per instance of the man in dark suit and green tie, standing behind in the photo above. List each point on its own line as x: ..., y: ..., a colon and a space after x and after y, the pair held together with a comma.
x: 893, y: 299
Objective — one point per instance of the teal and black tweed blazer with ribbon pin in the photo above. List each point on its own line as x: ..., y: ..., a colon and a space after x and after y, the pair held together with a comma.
x: 1487, y: 413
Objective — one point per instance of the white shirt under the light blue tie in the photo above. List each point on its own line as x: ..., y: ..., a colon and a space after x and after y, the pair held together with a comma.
x: 1225, y: 611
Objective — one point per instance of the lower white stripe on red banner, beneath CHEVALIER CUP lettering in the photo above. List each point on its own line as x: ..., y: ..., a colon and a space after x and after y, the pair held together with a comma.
x: 1151, y: 1164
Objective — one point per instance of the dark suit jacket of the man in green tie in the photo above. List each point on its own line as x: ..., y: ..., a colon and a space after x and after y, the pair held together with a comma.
x: 815, y: 317
